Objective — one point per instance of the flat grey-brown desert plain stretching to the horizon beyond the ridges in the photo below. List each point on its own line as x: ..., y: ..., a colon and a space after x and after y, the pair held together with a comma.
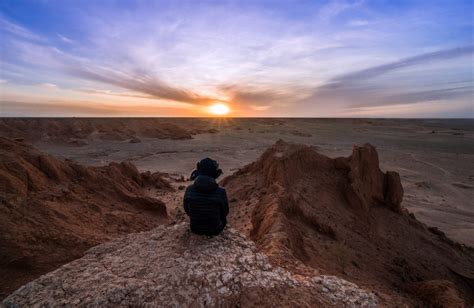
x: 435, y: 158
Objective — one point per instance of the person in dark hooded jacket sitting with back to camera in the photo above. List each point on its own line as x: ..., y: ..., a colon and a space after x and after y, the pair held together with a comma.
x: 204, y: 201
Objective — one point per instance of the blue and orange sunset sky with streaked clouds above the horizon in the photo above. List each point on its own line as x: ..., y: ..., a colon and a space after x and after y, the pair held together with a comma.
x: 411, y: 59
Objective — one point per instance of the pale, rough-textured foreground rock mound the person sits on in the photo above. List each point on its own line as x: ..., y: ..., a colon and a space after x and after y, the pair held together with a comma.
x: 169, y: 266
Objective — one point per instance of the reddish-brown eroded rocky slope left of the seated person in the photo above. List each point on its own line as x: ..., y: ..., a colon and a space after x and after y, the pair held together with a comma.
x: 51, y: 211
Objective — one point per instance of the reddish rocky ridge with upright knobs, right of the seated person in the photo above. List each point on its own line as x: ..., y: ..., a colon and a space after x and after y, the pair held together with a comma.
x: 345, y: 217
